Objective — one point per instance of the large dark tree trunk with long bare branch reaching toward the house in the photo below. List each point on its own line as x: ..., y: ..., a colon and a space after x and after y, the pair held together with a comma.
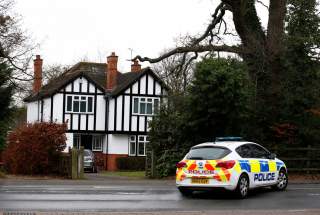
x: 261, y: 49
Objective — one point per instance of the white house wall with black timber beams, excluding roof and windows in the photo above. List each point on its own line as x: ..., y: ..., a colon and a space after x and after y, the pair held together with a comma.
x: 120, y: 124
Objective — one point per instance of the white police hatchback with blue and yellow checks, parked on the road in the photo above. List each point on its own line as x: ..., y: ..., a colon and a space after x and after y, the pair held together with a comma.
x: 232, y: 164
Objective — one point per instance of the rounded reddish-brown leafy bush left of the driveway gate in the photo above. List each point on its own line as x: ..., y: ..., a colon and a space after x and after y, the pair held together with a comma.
x: 35, y: 148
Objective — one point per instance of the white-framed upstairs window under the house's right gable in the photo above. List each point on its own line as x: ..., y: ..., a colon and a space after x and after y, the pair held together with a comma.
x: 145, y: 105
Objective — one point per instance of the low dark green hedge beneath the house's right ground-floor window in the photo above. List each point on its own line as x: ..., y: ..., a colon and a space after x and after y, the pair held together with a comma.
x: 131, y: 163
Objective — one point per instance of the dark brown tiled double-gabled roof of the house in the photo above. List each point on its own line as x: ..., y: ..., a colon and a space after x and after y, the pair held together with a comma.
x: 95, y: 73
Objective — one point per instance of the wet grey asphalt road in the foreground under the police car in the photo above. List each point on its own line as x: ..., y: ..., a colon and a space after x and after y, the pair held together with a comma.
x: 119, y: 195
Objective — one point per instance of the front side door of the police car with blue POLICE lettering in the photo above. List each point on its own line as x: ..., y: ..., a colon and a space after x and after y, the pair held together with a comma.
x: 261, y: 170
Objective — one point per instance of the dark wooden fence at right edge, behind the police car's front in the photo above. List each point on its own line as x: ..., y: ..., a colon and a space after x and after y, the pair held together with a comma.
x: 300, y: 159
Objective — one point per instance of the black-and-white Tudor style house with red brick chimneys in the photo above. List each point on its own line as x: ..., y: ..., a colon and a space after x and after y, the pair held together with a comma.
x: 106, y: 111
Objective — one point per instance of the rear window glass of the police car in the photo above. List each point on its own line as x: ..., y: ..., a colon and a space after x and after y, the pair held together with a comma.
x: 207, y: 153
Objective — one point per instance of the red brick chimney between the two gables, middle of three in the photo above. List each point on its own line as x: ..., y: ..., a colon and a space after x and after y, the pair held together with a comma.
x: 112, y: 71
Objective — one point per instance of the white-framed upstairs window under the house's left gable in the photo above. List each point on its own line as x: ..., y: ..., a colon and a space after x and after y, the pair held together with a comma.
x: 79, y: 104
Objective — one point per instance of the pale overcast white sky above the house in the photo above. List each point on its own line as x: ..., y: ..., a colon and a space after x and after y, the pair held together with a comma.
x: 71, y: 30
